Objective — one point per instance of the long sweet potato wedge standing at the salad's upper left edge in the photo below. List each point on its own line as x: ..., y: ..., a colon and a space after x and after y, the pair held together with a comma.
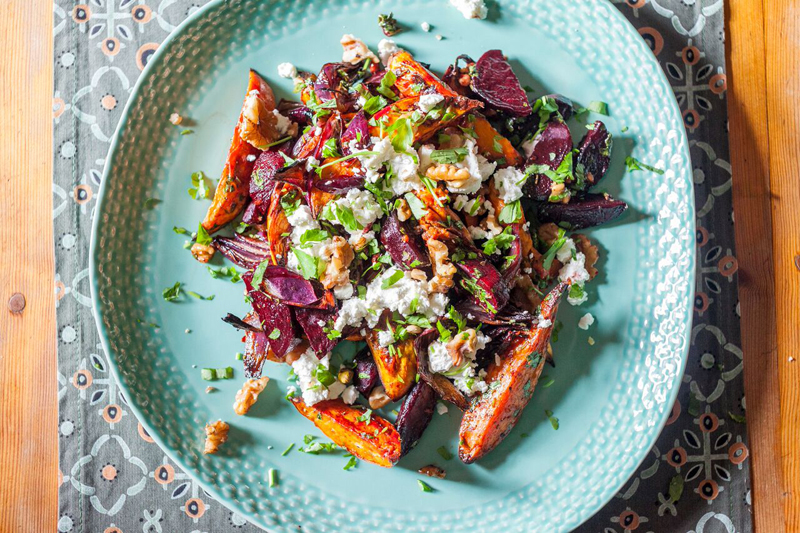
x: 234, y: 185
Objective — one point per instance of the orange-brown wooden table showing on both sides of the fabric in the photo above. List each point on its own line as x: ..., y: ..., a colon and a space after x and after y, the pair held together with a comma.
x: 764, y: 103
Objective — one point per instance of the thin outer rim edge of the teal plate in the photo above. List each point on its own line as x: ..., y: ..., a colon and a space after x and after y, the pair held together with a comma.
x: 168, y: 450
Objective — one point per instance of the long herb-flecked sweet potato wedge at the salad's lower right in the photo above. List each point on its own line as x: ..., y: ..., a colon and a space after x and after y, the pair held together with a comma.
x: 493, y: 415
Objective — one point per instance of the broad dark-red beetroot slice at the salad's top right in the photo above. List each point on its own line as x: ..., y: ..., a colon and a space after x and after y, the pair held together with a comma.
x: 496, y: 84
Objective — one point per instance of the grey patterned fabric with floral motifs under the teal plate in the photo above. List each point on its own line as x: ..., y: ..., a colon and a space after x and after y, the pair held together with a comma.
x: 113, y: 478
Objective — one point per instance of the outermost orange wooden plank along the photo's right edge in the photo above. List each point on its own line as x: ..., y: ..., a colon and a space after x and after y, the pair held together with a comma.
x: 782, y: 20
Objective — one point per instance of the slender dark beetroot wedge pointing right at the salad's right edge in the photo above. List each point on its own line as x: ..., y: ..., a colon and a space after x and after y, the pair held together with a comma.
x: 585, y: 212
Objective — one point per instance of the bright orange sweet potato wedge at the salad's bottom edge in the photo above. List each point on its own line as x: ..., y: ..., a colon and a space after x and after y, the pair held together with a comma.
x: 368, y: 437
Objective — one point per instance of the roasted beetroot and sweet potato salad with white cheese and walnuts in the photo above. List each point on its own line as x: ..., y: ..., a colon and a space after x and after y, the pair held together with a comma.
x: 429, y: 219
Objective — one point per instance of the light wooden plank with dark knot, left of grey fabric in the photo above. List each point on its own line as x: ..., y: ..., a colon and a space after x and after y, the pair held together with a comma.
x: 28, y: 406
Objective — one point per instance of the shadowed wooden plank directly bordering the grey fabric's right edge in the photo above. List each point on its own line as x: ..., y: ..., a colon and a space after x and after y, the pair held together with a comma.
x: 747, y: 107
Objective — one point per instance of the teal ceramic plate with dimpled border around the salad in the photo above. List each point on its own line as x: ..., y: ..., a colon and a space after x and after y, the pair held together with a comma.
x: 611, y: 398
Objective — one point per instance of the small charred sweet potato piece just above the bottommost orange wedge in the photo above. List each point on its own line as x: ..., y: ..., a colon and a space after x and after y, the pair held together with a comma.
x: 397, y: 364
